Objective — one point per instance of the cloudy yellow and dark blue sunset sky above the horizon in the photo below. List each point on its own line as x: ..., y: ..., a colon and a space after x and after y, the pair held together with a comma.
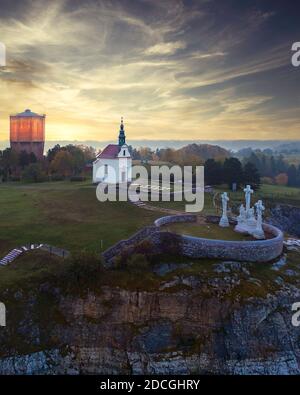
x: 173, y: 69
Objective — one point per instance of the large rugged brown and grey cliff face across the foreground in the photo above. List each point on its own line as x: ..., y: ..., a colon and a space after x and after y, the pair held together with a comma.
x: 192, y: 325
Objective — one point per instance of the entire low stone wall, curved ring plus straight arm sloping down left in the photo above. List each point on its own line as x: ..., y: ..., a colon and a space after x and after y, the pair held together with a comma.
x: 197, y: 247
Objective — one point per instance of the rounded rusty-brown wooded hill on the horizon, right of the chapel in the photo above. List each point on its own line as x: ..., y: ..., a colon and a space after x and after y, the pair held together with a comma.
x: 204, y: 151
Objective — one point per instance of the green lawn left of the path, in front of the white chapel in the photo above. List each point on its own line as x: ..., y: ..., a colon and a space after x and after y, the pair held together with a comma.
x: 65, y: 214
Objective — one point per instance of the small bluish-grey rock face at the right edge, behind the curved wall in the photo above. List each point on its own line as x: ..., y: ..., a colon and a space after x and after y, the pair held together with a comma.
x: 286, y: 218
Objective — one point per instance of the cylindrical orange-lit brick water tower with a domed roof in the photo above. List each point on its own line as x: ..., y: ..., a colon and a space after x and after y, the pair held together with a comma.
x: 27, y: 133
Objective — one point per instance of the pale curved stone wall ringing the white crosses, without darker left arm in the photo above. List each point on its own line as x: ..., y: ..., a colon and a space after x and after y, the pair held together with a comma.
x: 250, y: 251
